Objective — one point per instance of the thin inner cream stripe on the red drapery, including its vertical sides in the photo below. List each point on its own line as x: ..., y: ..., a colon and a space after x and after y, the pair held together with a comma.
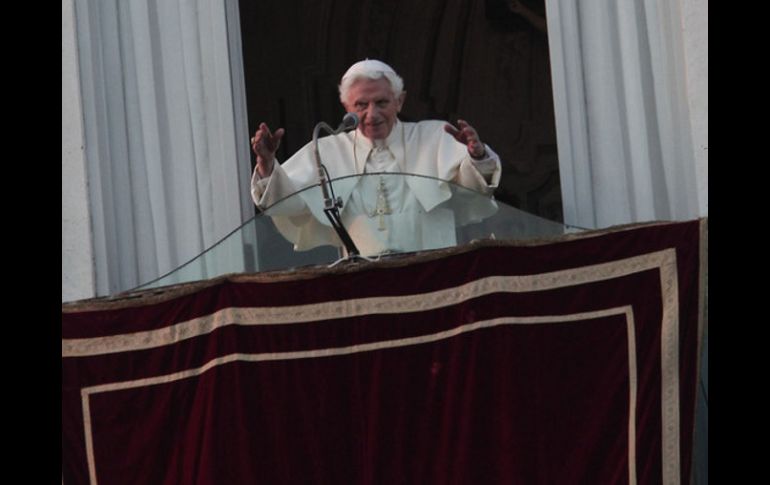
x: 387, y: 344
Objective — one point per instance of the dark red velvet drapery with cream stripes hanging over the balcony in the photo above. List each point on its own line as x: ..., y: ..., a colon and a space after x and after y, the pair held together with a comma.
x: 567, y: 361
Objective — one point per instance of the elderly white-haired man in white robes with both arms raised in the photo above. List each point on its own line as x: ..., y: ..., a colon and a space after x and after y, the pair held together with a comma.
x: 382, y: 213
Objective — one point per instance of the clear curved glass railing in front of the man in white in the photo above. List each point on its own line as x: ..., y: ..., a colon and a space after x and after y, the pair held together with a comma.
x: 384, y: 213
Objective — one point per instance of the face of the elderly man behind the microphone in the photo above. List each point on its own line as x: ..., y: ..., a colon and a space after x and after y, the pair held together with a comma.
x: 376, y: 106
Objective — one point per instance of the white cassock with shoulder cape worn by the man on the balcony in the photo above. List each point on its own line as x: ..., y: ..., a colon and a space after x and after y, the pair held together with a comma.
x: 415, y: 213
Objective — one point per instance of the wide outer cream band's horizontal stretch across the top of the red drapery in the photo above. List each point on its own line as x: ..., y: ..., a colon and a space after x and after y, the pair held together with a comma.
x: 361, y: 306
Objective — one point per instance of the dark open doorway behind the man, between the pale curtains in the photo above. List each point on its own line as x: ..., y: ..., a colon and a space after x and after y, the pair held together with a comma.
x: 467, y: 59
